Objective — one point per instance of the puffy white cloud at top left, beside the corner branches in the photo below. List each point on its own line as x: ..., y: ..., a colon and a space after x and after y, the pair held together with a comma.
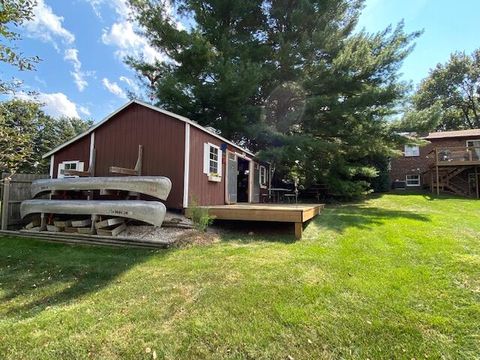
x: 48, y: 26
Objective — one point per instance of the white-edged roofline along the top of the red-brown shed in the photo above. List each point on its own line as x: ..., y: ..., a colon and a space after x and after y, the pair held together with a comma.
x: 155, y: 108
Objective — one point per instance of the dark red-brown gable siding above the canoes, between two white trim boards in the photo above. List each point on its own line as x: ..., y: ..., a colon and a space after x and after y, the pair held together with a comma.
x: 163, y: 140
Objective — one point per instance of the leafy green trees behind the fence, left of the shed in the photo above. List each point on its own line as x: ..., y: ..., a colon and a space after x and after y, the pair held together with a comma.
x: 26, y: 133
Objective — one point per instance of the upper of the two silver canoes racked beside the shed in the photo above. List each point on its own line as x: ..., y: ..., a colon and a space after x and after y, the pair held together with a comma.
x: 156, y: 186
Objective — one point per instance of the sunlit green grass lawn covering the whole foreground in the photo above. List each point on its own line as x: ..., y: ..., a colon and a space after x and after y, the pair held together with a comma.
x: 396, y: 276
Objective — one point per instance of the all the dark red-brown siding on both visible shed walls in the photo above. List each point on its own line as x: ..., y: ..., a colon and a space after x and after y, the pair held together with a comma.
x: 163, y: 139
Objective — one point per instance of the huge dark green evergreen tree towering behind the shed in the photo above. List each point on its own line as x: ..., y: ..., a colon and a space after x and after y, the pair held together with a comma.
x: 289, y: 78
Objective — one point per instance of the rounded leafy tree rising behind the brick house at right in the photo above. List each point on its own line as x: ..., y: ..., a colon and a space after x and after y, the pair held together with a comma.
x: 449, y: 96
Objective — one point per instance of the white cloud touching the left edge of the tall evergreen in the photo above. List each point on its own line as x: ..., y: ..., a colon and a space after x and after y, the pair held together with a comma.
x: 123, y: 35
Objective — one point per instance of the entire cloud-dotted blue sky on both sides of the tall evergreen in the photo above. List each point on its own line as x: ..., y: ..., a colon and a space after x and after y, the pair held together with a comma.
x: 82, y: 44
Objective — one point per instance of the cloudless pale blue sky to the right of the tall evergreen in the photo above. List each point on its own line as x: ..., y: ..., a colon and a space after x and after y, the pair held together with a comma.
x: 448, y: 26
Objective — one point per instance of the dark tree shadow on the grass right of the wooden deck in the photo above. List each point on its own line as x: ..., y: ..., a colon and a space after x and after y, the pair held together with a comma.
x: 340, y: 218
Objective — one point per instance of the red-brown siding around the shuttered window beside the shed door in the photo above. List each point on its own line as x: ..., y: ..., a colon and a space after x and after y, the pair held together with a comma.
x: 201, y: 190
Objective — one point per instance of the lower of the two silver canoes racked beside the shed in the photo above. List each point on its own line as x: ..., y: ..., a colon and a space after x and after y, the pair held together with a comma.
x: 151, y: 212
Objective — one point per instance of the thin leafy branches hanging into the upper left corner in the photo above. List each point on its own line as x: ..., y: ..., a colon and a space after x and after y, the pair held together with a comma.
x: 13, y: 13
